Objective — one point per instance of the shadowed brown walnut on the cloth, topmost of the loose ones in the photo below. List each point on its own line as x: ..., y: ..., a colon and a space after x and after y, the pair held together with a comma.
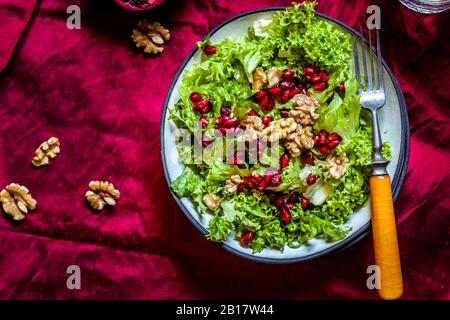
x: 150, y: 36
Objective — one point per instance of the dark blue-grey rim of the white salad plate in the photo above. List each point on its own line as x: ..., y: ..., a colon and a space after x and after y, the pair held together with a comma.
x: 397, y: 180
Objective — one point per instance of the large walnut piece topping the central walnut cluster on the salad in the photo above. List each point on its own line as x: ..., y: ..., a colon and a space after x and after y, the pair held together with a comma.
x: 304, y: 109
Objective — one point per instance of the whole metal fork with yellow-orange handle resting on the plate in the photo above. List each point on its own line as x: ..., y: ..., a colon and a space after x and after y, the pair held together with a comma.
x: 372, y: 98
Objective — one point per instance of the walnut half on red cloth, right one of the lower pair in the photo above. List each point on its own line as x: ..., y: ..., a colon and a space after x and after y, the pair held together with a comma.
x: 102, y: 193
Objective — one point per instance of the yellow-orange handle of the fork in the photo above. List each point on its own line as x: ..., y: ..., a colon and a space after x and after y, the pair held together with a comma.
x: 385, y: 241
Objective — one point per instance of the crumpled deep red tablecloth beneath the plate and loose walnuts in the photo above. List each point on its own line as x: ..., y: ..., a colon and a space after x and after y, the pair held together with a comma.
x: 104, y: 99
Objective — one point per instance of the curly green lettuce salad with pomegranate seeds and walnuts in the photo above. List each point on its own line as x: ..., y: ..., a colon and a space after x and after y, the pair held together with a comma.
x: 287, y: 96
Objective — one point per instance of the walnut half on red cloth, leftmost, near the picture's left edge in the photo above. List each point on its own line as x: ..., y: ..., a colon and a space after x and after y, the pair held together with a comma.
x: 17, y: 201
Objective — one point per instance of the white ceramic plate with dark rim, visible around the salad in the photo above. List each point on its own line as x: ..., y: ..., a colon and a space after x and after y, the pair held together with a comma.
x: 393, y: 125
